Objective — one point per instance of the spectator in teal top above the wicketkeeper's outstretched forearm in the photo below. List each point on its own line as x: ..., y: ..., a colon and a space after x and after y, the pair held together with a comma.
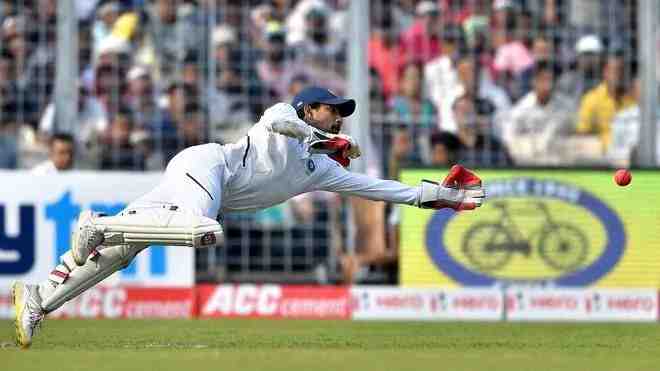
x: 415, y: 111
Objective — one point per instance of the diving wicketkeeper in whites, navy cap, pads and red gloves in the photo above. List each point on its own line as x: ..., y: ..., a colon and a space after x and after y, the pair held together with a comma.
x: 293, y: 149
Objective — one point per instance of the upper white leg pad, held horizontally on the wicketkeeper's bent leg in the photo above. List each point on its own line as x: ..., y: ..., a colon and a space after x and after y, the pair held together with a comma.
x: 159, y: 226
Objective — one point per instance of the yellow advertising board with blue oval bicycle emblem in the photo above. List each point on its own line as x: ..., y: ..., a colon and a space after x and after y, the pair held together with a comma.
x: 570, y: 228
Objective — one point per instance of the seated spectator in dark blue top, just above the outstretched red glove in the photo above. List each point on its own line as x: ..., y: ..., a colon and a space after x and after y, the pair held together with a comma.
x: 478, y: 146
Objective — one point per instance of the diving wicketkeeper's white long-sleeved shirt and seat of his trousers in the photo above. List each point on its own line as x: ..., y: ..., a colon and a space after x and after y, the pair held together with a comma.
x: 267, y: 167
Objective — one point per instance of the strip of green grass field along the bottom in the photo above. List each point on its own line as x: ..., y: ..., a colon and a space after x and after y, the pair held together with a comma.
x: 332, y: 345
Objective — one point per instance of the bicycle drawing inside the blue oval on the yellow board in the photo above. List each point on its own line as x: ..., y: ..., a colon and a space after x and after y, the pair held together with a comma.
x: 490, y: 246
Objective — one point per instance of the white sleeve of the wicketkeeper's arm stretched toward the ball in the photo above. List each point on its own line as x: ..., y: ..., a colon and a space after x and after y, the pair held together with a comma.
x: 339, y: 180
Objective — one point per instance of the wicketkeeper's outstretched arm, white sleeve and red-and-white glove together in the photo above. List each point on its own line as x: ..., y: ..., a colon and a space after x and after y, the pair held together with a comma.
x: 461, y: 189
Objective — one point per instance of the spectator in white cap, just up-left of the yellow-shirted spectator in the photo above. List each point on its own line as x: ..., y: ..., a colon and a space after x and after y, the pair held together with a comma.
x: 585, y: 73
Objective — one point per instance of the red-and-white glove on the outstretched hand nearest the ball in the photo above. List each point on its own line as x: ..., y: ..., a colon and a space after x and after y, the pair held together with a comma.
x: 460, y: 190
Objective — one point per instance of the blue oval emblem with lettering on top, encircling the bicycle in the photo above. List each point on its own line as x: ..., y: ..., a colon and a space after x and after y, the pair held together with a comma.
x: 489, y: 248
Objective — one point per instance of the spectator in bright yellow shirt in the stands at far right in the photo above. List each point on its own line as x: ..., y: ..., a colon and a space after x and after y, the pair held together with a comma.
x: 600, y: 104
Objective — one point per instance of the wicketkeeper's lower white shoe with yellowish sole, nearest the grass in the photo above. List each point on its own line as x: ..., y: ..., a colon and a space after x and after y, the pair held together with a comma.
x: 29, y: 314
